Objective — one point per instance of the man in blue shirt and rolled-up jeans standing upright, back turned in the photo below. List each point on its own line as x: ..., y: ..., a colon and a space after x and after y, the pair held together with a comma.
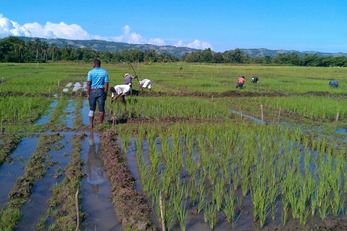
x: 97, y: 87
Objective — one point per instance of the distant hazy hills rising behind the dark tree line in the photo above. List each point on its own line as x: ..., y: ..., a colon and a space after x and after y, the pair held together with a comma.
x: 101, y: 45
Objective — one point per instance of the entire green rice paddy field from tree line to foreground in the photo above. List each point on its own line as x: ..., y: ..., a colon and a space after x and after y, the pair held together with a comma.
x: 192, y: 153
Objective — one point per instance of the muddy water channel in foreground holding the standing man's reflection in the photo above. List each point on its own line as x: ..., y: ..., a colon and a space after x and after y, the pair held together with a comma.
x: 96, y: 202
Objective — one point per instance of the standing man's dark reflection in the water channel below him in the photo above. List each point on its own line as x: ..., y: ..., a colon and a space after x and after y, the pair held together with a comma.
x: 95, y: 169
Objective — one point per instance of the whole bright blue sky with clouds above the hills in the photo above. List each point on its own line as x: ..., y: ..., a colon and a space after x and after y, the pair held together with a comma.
x: 303, y: 25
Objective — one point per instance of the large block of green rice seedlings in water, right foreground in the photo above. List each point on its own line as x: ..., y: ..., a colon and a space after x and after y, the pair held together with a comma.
x: 269, y: 161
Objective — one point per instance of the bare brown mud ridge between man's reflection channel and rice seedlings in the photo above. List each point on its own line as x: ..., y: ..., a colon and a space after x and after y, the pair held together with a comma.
x: 132, y: 208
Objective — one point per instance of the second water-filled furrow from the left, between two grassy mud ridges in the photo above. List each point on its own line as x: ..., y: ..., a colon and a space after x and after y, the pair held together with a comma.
x: 37, y: 206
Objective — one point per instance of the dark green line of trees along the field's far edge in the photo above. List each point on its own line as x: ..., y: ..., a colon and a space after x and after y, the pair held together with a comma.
x: 14, y: 49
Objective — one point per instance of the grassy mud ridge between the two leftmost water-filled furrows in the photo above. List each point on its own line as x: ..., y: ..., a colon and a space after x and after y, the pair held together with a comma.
x: 34, y: 170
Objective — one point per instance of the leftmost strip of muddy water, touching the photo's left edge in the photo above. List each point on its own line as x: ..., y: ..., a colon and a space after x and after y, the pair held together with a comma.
x: 9, y: 172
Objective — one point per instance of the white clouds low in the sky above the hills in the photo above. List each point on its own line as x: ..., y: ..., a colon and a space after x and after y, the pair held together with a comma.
x: 76, y: 32
